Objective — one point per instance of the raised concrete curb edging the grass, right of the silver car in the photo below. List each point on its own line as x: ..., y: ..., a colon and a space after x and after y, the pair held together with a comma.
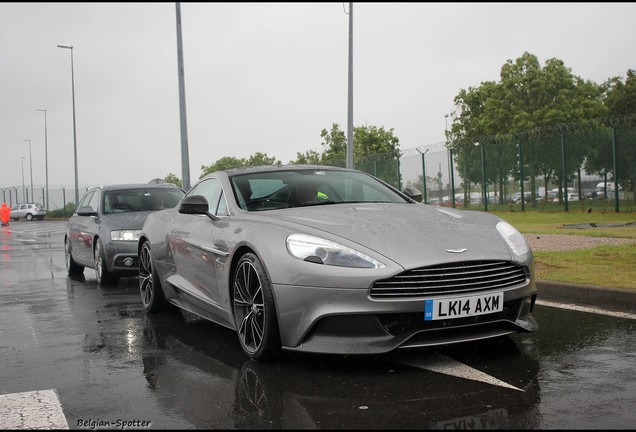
x: 614, y: 299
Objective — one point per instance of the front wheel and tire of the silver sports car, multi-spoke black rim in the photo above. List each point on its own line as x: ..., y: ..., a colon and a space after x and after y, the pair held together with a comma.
x: 254, y: 310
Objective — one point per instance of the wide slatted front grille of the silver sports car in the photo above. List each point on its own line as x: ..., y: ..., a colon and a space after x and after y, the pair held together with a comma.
x: 451, y: 278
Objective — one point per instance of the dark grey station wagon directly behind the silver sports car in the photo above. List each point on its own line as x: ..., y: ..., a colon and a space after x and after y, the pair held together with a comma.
x: 102, y: 234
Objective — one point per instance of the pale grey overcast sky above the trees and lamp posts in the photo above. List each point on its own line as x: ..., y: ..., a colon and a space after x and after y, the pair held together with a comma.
x: 262, y: 77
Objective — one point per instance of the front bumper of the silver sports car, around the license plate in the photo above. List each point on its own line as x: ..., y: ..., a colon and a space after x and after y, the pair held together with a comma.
x: 348, y: 321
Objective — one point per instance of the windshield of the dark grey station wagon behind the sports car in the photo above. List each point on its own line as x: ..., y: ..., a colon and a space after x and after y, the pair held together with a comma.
x: 134, y: 200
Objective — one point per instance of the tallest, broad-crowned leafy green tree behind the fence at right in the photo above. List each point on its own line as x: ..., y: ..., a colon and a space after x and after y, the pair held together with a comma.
x: 528, y: 97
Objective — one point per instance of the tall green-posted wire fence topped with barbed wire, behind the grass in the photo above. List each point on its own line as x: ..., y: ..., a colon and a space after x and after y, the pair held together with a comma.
x: 542, y: 168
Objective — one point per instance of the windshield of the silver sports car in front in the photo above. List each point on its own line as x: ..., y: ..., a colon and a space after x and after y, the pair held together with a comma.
x: 306, y: 187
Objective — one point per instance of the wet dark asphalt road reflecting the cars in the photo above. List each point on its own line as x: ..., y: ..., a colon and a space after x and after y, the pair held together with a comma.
x: 111, y: 364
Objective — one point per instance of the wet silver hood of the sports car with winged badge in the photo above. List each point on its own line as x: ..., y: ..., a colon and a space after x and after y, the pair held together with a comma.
x: 409, y: 234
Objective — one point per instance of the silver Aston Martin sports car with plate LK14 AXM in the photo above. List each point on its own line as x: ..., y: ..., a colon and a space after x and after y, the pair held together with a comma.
x: 331, y: 260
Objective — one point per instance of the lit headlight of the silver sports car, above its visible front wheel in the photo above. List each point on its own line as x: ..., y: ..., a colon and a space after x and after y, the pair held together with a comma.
x: 314, y: 249
